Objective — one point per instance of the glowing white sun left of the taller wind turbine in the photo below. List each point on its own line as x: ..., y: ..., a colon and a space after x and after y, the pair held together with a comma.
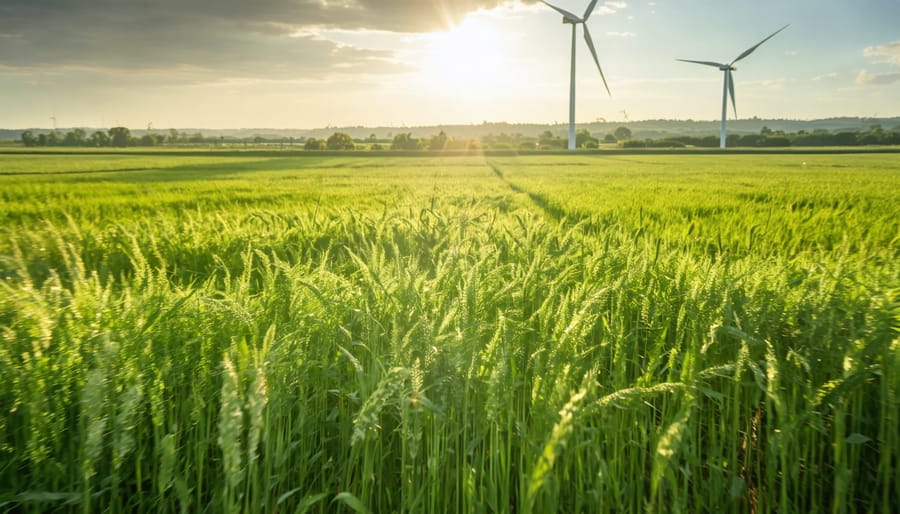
x: 468, y: 61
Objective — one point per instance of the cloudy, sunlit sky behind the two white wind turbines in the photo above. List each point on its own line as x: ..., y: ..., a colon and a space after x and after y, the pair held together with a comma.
x: 333, y: 63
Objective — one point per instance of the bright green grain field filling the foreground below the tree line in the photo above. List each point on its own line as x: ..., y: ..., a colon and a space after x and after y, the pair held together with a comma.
x: 531, y: 334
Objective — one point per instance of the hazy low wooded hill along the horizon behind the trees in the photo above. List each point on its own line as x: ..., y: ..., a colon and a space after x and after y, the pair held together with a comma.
x: 645, y: 129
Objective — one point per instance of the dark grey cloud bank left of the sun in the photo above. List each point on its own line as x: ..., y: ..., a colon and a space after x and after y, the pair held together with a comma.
x: 232, y: 38
